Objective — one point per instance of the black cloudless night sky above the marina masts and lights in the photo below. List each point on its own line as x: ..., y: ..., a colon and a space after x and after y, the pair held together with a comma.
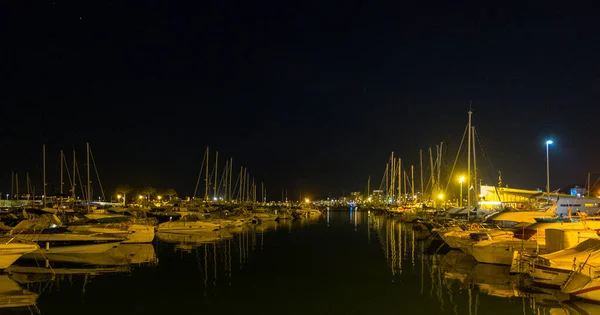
x: 308, y: 95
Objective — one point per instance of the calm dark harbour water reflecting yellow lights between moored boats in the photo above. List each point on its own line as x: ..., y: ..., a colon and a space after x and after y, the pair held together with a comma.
x: 343, y: 263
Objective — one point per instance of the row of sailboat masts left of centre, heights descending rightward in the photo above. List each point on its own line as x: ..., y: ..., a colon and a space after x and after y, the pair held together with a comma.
x: 222, y: 187
